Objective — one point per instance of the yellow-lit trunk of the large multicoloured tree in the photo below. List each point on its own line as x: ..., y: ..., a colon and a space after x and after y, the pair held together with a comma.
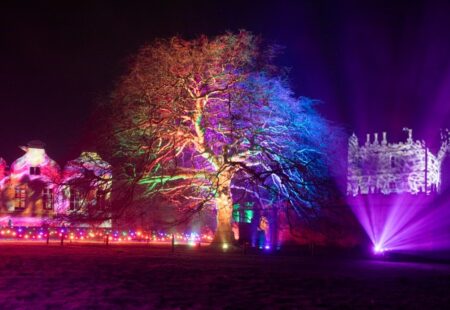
x: 224, y: 235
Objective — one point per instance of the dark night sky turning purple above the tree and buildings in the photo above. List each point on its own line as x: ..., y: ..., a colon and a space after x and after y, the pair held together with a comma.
x: 375, y: 65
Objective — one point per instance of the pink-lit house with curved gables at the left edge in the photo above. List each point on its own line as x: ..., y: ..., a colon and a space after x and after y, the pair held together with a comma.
x: 34, y: 191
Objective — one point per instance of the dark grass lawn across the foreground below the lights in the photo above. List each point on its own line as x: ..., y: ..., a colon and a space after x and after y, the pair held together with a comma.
x: 139, y: 277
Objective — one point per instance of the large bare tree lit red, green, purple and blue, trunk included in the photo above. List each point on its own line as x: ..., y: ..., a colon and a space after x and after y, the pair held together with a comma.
x: 196, y: 122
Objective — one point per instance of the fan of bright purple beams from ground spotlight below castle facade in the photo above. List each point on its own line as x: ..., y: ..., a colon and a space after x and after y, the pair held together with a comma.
x: 404, y: 222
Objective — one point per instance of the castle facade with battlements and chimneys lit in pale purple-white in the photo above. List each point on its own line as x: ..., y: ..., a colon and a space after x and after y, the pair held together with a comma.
x: 378, y: 166
